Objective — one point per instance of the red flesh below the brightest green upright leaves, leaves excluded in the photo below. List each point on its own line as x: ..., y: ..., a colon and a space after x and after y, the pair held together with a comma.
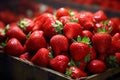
x: 79, y: 50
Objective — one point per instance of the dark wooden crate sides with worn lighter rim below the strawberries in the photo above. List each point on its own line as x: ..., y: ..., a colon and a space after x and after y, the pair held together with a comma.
x: 13, y: 68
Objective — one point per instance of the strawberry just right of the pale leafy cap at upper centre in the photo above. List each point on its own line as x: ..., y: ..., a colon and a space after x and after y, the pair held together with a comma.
x: 72, y: 30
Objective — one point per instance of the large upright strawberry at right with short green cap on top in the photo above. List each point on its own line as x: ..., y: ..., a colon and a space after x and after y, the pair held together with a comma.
x: 101, y: 41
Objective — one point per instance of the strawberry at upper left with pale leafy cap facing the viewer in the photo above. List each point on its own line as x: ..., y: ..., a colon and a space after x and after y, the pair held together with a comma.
x: 26, y: 25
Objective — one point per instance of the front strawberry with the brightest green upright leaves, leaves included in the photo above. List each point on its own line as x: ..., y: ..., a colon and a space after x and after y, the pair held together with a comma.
x: 80, y: 48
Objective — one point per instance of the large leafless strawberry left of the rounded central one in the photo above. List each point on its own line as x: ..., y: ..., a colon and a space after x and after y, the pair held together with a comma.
x: 35, y: 41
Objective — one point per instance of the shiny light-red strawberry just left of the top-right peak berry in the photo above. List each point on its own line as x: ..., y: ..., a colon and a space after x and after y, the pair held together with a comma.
x: 85, y: 19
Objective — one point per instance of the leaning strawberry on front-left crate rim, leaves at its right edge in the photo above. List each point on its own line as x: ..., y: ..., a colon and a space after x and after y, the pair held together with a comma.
x: 41, y: 58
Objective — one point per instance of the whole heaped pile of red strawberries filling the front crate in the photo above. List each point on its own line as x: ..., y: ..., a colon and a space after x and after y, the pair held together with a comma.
x: 77, y: 44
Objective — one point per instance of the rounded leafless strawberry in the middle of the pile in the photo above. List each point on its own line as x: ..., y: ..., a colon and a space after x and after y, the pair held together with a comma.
x: 59, y: 44
